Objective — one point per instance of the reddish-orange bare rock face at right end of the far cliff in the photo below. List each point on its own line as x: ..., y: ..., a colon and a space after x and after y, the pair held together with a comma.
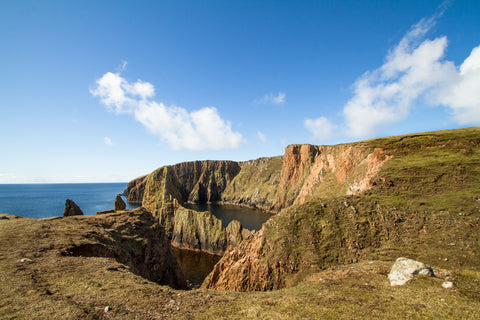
x: 313, y: 172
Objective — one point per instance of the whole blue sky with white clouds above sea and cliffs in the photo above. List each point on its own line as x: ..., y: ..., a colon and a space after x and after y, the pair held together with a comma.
x: 99, y: 91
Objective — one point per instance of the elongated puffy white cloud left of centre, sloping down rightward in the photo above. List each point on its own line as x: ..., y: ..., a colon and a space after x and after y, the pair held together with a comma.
x: 199, y: 130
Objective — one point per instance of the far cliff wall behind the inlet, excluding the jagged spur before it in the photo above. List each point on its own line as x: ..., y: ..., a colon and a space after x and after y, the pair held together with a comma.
x: 303, y: 173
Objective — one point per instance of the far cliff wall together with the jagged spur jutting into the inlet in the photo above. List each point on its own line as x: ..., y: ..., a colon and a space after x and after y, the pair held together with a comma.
x: 305, y: 172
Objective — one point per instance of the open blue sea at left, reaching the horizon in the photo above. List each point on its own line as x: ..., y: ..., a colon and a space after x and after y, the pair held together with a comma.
x: 48, y: 200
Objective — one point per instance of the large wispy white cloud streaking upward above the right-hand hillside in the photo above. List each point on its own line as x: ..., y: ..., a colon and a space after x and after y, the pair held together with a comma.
x: 414, y: 73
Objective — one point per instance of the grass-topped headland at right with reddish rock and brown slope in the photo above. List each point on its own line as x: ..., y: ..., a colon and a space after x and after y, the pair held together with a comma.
x: 423, y: 204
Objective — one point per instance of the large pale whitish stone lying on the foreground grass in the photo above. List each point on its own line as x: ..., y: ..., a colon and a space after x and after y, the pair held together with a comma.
x: 404, y: 269
